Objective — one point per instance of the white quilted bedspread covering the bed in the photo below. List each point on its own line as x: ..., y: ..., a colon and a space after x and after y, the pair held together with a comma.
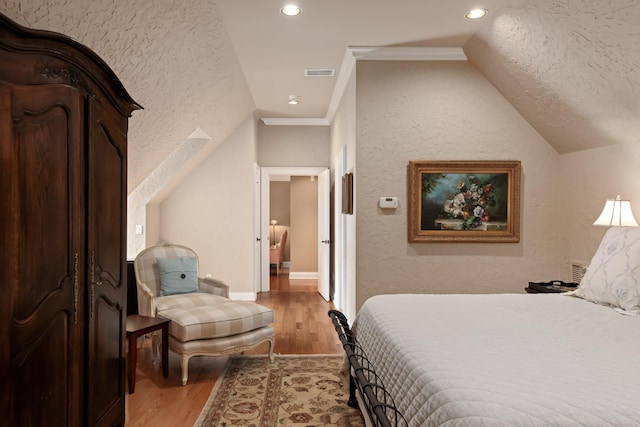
x: 504, y: 360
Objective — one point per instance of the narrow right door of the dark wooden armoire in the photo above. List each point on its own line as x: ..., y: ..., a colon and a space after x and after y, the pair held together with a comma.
x: 107, y: 245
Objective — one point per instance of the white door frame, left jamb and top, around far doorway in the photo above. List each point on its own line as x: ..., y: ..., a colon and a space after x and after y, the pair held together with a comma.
x: 265, y: 177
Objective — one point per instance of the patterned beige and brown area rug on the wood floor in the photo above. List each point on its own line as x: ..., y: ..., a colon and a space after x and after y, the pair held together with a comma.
x: 293, y: 391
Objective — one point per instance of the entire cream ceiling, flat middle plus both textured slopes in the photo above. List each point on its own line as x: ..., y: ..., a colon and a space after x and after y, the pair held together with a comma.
x: 570, y: 67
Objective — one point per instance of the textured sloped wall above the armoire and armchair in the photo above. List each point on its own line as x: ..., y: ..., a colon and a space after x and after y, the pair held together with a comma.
x: 175, y: 59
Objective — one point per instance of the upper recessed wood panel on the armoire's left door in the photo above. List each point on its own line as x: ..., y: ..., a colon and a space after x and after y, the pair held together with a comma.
x: 43, y: 141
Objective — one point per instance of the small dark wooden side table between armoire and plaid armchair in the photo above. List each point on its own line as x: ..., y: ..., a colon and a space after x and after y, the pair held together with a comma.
x: 139, y: 325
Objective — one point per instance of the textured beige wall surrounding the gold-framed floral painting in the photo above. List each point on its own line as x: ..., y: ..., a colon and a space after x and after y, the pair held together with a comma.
x: 446, y: 111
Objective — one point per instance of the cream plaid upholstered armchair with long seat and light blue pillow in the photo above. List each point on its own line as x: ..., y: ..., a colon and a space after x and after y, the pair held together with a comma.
x: 204, y: 321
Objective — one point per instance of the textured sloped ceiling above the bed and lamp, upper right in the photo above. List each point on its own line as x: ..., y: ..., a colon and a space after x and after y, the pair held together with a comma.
x: 569, y: 67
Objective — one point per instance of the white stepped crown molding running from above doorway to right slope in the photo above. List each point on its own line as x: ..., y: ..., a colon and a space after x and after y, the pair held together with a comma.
x: 370, y: 53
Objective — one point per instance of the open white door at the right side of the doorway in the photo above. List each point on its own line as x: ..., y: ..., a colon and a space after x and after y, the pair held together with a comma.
x: 324, y: 234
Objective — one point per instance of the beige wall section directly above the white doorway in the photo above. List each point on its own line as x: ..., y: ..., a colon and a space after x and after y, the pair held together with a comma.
x: 293, y: 145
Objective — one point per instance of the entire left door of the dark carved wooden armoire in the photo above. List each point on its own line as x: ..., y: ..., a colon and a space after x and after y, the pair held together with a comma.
x: 44, y: 240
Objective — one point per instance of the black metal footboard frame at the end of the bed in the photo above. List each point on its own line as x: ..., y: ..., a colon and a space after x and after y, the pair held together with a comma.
x: 378, y: 403
